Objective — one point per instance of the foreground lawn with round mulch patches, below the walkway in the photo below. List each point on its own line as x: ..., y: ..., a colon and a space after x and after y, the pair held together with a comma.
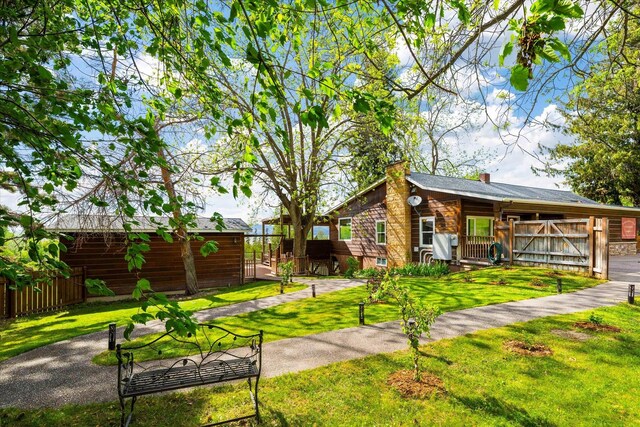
x: 584, y: 382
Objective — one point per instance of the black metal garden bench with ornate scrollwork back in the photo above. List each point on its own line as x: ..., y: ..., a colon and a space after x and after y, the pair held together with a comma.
x: 215, y: 355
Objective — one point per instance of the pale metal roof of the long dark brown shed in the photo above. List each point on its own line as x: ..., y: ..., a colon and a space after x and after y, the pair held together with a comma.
x: 113, y: 224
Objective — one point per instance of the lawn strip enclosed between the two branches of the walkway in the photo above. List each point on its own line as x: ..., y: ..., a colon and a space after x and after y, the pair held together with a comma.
x: 339, y: 310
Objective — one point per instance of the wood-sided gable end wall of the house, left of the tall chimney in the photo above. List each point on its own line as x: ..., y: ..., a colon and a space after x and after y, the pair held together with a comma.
x: 364, y: 212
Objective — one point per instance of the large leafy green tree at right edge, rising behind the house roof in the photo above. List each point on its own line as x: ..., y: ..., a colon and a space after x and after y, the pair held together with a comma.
x: 603, y: 115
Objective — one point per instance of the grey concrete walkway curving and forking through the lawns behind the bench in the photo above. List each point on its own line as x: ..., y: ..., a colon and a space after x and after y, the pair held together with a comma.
x: 62, y: 373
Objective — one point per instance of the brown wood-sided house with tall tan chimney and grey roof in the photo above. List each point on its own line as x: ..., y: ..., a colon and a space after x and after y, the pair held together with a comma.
x: 380, y: 227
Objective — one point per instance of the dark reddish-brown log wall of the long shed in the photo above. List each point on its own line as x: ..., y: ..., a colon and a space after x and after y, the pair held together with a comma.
x: 164, y: 268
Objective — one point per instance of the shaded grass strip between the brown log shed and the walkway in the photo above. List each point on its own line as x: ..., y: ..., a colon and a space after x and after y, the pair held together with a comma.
x: 23, y: 334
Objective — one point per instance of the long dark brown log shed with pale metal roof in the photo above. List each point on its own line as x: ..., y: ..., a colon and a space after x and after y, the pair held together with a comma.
x: 97, y: 244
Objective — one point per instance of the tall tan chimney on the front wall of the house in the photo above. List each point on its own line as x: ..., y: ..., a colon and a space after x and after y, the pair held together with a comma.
x: 398, y: 215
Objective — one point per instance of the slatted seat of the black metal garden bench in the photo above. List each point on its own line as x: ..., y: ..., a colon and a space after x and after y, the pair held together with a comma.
x: 147, y: 382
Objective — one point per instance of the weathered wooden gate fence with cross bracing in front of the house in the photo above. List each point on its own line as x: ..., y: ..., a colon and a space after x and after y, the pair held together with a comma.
x: 567, y: 244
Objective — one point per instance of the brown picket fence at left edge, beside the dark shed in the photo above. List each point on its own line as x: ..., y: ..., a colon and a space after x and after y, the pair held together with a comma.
x: 62, y: 291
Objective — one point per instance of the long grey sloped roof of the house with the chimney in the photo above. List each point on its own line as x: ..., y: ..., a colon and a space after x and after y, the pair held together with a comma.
x: 495, y: 191
